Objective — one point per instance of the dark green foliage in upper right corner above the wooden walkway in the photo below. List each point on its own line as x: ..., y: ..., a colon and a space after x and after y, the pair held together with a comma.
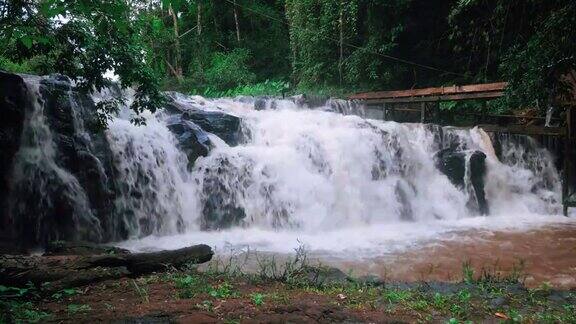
x: 528, y: 43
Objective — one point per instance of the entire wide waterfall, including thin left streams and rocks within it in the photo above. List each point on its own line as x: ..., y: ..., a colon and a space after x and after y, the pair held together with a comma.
x: 272, y: 173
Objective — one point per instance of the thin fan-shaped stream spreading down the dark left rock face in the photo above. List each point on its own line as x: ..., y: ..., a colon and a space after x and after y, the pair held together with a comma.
x: 43, y: 192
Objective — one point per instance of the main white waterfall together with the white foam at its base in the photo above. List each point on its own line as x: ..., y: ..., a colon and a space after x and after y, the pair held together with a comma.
x: 334, y: 183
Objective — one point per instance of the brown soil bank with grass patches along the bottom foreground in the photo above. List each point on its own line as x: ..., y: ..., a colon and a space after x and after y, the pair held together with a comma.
x: 189, y: 297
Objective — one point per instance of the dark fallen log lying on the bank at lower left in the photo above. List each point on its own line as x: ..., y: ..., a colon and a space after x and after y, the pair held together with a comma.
x: 57, y: 272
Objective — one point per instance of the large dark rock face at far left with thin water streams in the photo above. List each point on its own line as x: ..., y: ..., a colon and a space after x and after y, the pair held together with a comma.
x: 59, y: 164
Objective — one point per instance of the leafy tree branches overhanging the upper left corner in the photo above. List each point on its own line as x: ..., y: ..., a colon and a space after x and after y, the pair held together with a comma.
x: 82, y: 39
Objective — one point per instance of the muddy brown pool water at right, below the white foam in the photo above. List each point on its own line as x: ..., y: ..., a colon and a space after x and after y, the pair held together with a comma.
x: 546, y: 255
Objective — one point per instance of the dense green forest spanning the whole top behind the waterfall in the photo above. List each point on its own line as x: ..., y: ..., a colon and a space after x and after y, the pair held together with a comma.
x: 229, y: 47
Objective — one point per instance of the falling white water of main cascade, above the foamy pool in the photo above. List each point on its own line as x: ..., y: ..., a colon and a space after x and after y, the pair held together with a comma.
x: 312, y: 169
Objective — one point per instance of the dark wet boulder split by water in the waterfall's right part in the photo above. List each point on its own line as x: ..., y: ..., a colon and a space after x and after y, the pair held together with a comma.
x: 452, y: 162
